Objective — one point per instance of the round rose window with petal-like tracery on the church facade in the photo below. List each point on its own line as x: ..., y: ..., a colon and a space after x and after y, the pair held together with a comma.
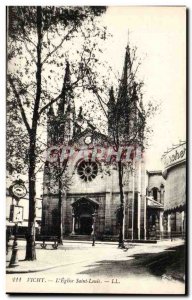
x: 87, y: 170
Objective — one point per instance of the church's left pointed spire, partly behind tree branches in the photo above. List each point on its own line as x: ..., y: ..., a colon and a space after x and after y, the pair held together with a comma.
x: 66, y: 93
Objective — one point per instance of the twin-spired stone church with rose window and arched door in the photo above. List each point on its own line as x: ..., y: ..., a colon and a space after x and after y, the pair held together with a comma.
x: 81, y: 194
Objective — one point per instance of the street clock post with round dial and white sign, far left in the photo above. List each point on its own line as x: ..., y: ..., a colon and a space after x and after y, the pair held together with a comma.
x: 18, y: 191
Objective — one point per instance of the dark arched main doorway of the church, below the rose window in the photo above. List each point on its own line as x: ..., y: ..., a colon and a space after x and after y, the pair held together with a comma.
x: 83, y: 215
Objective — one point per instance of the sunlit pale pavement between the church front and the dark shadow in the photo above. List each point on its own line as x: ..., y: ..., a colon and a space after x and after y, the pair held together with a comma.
x: 78, y: 251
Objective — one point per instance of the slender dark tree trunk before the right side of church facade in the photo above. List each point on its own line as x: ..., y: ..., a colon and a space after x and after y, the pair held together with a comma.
x: 121, y: 214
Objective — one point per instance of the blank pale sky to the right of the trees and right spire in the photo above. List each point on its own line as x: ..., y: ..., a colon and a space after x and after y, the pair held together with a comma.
x: 159, y: 33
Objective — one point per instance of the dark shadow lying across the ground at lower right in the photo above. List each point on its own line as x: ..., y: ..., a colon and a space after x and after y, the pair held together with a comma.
x: 169, y: 263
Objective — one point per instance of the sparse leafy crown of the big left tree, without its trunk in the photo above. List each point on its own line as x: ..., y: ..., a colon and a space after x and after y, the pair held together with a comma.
x: 71, y: 33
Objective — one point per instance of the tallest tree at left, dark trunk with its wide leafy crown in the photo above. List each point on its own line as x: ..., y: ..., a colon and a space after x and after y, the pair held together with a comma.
x: 37, y: 47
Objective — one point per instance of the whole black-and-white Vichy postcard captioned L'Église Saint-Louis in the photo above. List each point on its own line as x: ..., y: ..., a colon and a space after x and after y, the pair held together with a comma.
x: 96, y: 150
